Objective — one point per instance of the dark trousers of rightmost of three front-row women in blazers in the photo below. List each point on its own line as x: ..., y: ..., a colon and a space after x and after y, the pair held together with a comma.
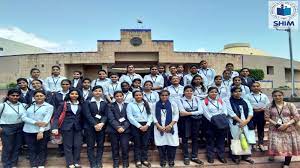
x: 118, y: 140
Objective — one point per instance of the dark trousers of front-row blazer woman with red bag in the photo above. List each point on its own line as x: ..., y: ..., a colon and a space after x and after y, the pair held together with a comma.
x: 72, y: 141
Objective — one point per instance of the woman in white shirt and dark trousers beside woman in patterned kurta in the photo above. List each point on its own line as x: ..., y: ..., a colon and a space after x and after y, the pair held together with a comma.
x: 259, y: 102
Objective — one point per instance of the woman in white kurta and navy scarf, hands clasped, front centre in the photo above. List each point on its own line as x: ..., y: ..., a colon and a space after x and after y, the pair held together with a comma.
x: 165, y: 118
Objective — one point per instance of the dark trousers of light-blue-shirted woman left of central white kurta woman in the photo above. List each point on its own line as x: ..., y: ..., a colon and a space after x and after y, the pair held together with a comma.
x: 141, y: 140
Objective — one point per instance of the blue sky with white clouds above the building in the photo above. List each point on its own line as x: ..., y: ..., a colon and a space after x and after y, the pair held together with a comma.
x: 194, y: 25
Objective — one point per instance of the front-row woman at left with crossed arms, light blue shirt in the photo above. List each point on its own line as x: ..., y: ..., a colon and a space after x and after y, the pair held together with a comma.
x: 37, y: 129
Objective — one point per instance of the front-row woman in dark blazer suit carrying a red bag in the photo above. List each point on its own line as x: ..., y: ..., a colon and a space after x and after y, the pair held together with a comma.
x: 71, y: 128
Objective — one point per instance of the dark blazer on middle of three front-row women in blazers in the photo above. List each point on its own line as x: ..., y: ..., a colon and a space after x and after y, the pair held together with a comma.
x: 91, y: 110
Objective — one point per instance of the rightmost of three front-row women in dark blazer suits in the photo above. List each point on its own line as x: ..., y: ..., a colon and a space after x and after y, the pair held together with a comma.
x: 119, y: 129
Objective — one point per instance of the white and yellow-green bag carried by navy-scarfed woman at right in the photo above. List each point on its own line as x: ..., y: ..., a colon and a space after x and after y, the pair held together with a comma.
x: 237, y: 146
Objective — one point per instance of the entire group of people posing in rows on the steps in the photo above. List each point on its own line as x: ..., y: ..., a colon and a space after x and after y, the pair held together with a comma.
x: 164, y: 108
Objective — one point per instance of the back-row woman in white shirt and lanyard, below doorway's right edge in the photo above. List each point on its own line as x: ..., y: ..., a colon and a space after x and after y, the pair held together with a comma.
x: 155, y: 78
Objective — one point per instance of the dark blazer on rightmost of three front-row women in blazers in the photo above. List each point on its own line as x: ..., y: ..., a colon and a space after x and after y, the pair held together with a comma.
x: 114, y: 115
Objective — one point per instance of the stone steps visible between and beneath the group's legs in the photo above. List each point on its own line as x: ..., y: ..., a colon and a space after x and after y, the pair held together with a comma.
x: 260, y: 158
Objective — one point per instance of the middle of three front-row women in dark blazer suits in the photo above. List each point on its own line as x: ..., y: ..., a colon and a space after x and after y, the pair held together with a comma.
x: 95, y: 116
